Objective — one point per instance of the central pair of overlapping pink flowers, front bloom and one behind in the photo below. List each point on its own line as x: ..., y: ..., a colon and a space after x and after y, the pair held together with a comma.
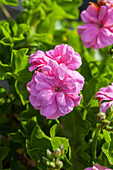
x: 55, y: 90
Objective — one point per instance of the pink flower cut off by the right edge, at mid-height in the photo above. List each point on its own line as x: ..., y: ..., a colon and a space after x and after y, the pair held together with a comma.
x: 105, y: 93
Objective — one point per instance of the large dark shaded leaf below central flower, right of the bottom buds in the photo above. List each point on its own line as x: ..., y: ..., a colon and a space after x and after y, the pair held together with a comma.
x: 76, y: 129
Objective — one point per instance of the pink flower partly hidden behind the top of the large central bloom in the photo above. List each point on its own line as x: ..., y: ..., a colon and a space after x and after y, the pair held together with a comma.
x: 61, y: 53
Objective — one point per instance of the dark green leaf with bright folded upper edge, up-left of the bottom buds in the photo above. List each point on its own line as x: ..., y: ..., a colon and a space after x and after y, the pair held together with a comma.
x: 39, y: 140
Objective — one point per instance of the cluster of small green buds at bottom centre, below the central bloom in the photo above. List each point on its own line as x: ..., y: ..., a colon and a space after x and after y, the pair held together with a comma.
x: 53, y: 159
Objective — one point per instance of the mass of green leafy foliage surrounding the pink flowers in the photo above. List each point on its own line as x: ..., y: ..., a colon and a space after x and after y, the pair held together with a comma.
x: 25, y: 135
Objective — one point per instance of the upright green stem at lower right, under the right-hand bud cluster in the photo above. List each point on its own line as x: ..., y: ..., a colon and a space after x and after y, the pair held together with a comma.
x: 94, y: 144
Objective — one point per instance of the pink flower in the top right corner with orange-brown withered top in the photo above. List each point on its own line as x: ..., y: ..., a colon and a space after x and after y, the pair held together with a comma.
x: 97, y: 32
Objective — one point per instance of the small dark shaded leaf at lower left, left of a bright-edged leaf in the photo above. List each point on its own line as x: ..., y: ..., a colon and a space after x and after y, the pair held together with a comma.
x: 17, y: 137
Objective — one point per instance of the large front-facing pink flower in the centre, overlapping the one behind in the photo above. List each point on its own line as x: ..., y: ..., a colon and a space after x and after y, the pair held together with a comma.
x: 54, y: 91
